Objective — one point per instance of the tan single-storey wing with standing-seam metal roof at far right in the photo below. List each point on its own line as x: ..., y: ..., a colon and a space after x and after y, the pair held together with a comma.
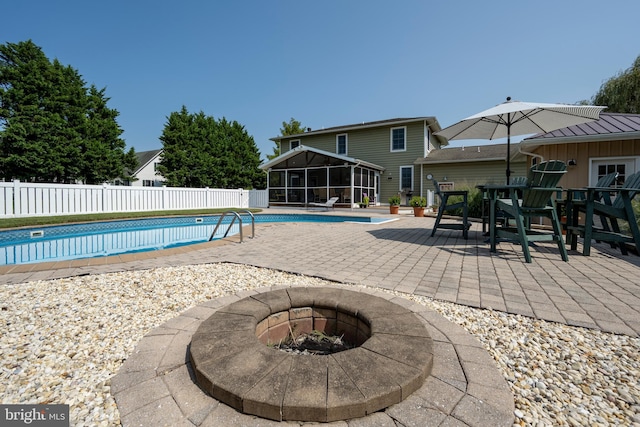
x: 591, y: 150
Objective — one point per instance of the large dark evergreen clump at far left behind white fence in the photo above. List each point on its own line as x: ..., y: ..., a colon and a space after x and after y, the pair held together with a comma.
x: 52, y: 128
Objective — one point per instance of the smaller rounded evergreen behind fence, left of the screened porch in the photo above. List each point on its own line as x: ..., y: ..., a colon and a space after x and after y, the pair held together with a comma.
x: 199, y: 151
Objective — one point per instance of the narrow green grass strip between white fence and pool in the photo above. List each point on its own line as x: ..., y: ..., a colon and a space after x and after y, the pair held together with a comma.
x: 64, y: 219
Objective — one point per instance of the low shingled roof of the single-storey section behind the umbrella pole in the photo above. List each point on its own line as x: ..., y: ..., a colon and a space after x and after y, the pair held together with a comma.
x: 473, y: 153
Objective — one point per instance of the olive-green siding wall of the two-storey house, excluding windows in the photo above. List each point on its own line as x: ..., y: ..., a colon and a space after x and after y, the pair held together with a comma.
x: 374, y: 145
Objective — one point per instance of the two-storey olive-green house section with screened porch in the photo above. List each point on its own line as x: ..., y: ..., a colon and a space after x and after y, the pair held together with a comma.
x: 376, y: 158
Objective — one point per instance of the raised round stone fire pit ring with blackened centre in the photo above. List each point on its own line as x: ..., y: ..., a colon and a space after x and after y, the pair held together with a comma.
x: 233, y: 362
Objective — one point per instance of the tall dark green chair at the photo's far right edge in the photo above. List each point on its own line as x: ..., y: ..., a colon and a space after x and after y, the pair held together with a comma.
x: 611, y: 212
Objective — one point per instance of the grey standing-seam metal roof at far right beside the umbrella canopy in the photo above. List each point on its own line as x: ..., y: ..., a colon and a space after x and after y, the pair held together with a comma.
x: 609, y: 126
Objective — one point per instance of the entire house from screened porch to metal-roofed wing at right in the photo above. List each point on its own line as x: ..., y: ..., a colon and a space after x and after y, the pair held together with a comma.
x: 394, y: 156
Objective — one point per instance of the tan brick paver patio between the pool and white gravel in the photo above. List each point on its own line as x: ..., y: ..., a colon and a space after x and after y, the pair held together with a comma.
x: 601, y: 291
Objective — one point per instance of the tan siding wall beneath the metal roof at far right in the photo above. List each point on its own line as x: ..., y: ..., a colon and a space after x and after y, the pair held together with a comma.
x: 580, y: 175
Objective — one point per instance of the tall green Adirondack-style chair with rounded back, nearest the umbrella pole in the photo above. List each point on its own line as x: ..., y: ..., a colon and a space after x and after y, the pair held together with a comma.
x: 538, y: 200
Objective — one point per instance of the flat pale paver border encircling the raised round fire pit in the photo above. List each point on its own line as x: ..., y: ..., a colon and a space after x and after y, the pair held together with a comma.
x: 155, y: 385
